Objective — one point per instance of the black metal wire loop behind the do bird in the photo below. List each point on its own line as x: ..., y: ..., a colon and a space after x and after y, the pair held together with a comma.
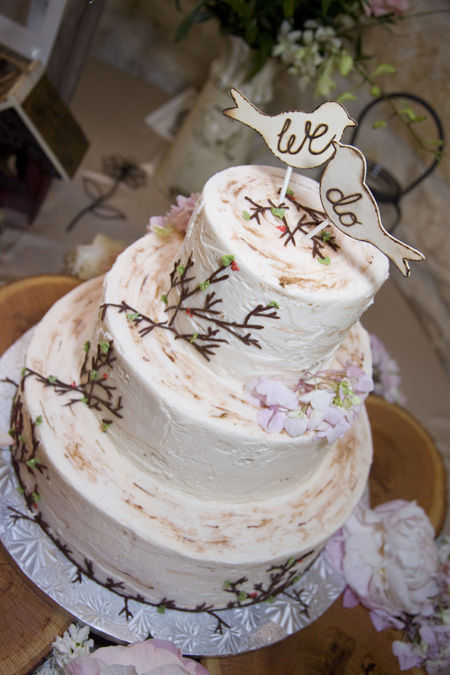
x: 386, y: 189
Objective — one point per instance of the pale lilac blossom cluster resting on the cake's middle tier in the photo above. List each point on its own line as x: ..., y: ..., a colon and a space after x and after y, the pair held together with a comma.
x: 325, y: 403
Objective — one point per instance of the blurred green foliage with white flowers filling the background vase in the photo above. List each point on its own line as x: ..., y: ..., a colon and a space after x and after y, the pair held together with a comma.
x: 314, y: 41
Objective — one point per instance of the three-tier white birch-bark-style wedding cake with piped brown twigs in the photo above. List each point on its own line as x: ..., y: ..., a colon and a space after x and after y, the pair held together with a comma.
x: 166, y: 428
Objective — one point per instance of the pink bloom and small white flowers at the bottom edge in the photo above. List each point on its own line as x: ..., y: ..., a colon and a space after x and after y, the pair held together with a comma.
x: 73, y: 655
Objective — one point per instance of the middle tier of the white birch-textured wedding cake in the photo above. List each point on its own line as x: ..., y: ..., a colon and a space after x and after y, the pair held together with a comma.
x: 189, y: 428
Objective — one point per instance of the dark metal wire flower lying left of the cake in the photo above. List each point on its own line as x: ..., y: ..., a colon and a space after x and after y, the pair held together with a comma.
x: 121, y: 170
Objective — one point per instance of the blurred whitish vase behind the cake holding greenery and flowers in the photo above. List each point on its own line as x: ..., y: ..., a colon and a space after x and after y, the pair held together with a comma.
x: 208, y: 141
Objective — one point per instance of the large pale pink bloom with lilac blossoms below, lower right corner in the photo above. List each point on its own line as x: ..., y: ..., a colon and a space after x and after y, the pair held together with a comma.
x: 392, y: 566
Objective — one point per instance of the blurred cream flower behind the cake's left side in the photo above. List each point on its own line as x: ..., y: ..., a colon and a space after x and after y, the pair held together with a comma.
x: 87, y: 261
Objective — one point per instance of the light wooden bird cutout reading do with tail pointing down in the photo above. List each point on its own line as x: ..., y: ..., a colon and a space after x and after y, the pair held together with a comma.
x: 351, y: 207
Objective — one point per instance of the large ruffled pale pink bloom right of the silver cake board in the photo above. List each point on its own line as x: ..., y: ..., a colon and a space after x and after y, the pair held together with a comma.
x: 389, y: 558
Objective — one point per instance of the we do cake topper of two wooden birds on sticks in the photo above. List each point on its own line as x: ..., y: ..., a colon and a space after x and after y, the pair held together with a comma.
x: 308, y: 140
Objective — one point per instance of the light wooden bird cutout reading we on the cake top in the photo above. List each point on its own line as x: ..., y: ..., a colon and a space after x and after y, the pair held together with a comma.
x: 299, y: 139
